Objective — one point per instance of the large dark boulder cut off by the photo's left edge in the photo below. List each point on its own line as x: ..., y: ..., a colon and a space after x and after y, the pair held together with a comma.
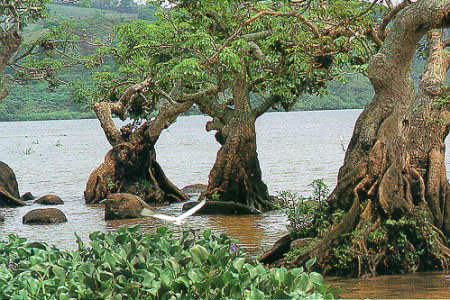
x: 9, y: 189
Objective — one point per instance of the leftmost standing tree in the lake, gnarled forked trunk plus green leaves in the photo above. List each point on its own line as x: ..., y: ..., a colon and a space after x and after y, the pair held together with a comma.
x: 125, y: 87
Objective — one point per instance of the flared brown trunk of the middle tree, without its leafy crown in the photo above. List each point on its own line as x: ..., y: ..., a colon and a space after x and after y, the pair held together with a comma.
x: 236, y: 175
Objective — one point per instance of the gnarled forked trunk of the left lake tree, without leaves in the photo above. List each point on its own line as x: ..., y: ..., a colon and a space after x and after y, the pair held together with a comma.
x: 131, y: 166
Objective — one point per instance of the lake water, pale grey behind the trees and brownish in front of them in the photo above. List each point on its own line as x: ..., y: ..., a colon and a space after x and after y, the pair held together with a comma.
x: 56, y: 157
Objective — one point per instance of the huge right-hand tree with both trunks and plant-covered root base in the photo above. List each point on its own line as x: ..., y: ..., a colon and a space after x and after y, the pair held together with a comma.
x: 389, y: 210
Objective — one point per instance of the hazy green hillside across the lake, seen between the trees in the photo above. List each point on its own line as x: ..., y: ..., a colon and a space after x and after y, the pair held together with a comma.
x: 36, y: 101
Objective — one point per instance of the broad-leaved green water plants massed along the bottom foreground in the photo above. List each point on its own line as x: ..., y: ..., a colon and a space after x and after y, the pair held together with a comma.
x: 129, y: 265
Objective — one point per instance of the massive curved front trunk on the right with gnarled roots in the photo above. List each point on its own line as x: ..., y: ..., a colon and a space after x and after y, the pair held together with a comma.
x: 379, y: 184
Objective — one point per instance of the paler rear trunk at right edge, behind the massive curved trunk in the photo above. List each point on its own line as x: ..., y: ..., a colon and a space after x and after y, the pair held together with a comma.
x: 430, y: 125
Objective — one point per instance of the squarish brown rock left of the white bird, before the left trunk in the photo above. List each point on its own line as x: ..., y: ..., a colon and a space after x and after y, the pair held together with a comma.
x: 124, y: 206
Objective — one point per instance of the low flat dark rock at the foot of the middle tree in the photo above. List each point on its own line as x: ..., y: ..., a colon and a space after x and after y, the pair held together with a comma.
x: 222, y: 208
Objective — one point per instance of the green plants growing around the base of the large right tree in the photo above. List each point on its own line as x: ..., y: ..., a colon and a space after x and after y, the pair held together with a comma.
x: 387, y: 245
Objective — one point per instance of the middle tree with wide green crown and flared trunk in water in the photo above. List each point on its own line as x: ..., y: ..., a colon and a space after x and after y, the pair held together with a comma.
x: 275, y: 51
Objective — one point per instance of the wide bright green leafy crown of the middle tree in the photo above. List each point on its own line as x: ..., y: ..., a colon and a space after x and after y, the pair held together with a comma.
x: 201, y: 44
